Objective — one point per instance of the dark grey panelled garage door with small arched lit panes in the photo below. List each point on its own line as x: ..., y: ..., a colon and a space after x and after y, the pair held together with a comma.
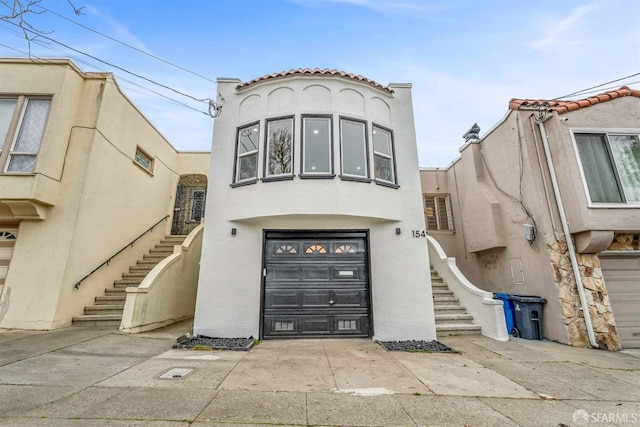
x: 316, y: 284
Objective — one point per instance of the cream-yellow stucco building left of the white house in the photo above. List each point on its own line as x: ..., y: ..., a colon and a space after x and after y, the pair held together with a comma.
x: 82, y: 174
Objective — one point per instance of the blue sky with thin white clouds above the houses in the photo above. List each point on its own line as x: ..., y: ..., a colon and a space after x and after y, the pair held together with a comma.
x: 465, y: 58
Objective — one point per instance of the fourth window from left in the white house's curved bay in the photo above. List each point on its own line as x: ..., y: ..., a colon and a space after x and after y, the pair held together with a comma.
x: 353, y: 140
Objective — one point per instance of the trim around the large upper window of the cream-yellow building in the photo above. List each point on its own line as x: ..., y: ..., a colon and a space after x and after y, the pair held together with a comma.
x: 7, y: 145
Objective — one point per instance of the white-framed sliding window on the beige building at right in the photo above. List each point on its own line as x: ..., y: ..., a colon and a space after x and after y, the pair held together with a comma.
x: 611, y: 165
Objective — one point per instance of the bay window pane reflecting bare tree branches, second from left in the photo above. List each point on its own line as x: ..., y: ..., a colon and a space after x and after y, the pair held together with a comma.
x: 279, y: 151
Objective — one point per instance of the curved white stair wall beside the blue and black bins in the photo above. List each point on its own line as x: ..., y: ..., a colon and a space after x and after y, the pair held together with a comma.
x: 486, y: 311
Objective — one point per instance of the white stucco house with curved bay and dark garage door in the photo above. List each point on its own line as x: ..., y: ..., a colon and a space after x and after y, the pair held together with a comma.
x: 313, y: 217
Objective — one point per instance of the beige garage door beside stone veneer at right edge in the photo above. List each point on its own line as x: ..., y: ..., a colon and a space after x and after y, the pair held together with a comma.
x: 622, y: 278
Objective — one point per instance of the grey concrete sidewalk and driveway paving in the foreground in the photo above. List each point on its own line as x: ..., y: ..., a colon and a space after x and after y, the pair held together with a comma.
x: 82, y: 376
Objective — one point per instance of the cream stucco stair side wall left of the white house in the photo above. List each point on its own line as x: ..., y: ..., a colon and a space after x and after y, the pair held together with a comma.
x: 168, y: 294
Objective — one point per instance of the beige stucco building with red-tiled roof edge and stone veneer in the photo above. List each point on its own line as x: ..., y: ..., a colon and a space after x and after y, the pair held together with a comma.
x: 552, y: 180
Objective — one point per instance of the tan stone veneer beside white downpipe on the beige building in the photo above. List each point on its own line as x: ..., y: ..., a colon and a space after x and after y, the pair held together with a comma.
x: 604, y: 325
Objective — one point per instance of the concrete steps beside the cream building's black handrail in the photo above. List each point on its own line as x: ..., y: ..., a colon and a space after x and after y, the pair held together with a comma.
x: 107, y: 310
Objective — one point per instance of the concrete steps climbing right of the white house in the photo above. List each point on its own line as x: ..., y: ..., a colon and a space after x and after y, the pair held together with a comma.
x: 451, y: 317
